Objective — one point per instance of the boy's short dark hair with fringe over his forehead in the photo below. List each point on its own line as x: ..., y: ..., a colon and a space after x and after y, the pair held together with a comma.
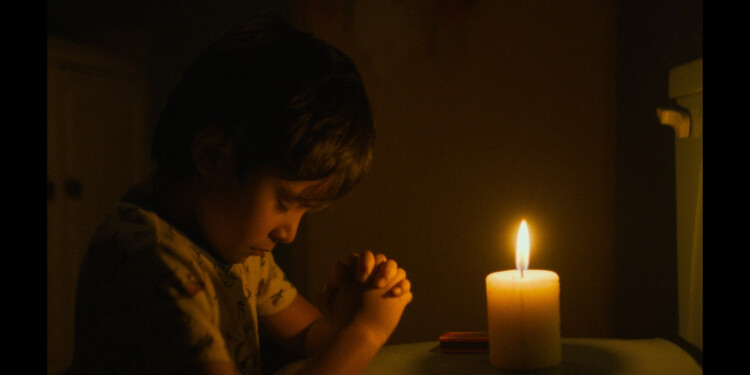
x: 285, y: 100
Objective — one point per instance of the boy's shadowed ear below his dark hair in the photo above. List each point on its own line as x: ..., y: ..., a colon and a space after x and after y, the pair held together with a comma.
x: 211, y: 149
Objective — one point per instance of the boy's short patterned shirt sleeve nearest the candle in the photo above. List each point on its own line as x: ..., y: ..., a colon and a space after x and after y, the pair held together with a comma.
x: 275, y: 291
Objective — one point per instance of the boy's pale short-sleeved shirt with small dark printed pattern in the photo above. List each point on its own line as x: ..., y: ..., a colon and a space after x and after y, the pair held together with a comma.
x: 152, y: 301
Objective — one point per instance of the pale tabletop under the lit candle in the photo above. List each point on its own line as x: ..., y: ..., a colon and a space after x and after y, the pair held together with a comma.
x: 580, y: 356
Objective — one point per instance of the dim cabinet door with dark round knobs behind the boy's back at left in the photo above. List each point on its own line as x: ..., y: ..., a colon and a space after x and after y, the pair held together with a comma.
x: 95, y: 151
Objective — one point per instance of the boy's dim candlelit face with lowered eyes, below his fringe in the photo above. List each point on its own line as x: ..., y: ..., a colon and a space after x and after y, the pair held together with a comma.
x: 248, y: 217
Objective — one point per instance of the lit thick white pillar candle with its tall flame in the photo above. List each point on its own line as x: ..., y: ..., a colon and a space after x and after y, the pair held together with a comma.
x: 523, y: 311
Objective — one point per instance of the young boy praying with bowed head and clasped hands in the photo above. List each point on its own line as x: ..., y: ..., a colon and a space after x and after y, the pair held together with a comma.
x: 268, y: 124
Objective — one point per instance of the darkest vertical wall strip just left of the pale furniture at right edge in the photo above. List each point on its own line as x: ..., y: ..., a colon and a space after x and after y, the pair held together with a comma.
x: 654, y: 36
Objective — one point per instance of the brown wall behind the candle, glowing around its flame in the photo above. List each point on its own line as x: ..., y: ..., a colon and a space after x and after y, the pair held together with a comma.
x: 488, y: 112
